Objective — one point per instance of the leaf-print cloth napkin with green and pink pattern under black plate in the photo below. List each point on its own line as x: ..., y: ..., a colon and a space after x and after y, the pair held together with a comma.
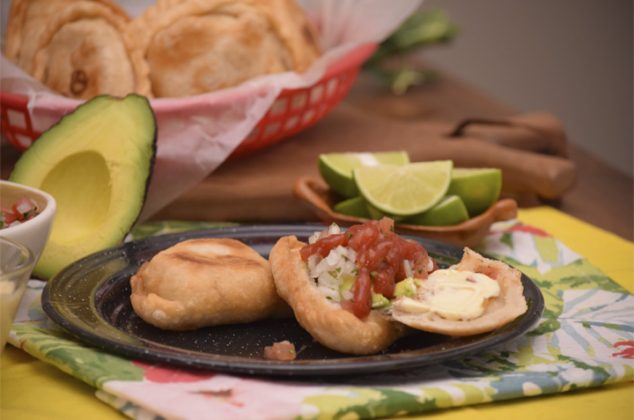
x: 585, y: 338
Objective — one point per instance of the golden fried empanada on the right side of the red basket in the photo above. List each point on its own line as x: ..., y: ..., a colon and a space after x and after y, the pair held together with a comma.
x: 196, y: 46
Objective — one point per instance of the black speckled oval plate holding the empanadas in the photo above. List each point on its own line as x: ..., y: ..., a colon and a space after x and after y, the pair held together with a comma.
x: 91, y: 300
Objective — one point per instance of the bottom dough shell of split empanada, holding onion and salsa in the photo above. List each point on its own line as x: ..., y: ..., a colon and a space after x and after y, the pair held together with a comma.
x: 327, y: 322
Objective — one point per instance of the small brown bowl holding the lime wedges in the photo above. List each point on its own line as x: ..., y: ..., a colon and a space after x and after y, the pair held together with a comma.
x: 469, y: 233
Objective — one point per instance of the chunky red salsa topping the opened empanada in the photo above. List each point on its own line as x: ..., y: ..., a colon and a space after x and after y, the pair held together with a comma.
x: 382, y: 260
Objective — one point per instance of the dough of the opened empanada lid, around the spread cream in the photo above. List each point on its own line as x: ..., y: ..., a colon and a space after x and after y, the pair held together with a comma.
x: 498, y: 311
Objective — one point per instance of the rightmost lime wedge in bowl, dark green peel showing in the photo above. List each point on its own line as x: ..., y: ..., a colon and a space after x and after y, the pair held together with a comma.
x: 479, y: 188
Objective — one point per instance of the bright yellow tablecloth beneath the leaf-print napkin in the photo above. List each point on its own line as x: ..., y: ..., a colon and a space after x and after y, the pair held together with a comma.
x: 31, y: 389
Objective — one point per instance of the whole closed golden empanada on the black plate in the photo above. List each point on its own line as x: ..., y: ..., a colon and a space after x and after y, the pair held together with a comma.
x: 205, y: 282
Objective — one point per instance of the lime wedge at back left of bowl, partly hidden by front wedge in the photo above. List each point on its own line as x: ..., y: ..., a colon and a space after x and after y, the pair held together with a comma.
x: 336, y: 168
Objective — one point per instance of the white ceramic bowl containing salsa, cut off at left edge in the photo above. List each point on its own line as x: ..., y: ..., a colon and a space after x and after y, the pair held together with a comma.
x: 32, y: 233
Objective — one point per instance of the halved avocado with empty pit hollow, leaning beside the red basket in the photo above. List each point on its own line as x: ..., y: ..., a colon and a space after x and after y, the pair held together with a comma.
x: 96, y: 162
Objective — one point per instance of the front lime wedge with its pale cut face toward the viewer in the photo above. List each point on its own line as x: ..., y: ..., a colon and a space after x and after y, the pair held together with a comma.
x: 404, y: 190
